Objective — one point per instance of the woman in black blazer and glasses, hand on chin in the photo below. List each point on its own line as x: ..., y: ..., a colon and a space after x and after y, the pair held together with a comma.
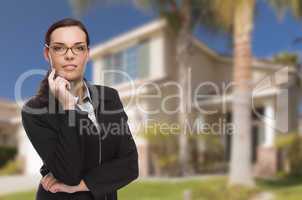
x: 79, y: 130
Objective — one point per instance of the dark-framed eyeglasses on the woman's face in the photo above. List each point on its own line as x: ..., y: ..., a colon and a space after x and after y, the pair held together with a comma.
x: 61, y: 49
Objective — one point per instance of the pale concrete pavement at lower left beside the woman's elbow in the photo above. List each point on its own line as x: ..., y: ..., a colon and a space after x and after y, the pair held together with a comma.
x: 18, y: 183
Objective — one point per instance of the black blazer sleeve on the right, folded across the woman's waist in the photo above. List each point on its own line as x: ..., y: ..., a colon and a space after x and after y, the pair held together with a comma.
x: 112, y: 175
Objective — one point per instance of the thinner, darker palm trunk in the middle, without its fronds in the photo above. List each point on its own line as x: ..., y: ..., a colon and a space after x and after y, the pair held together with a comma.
x: 182, y: 54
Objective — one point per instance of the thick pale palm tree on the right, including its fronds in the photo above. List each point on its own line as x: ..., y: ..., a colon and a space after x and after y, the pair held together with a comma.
x: 239, y: 14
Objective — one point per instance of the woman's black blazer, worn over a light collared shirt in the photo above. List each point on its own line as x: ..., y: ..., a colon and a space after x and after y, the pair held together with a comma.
x: 72, y: 149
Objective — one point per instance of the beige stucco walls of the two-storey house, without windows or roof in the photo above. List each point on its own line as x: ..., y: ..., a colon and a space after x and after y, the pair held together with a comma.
x: 214, y: 71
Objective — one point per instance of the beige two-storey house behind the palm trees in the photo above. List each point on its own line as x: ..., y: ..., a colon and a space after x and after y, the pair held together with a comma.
x: 142, y: 62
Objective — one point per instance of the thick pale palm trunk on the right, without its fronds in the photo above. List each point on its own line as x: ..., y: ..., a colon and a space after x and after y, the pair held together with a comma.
x: 241, y: 152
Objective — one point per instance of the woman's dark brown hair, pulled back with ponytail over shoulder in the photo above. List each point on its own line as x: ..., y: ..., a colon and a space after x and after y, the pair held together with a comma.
x: 43, y: 90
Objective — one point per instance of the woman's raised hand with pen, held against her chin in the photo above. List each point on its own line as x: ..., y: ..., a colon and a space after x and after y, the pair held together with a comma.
x: 58, y: 87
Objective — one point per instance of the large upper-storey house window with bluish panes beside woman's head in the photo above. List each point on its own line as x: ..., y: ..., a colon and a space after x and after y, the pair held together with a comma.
x: 134, y: 61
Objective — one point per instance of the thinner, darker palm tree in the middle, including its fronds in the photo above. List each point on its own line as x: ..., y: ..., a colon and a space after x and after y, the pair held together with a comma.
x: 182, y: 16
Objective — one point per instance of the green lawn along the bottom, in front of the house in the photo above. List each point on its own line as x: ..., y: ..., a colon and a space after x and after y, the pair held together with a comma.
x: 214, y: 188
